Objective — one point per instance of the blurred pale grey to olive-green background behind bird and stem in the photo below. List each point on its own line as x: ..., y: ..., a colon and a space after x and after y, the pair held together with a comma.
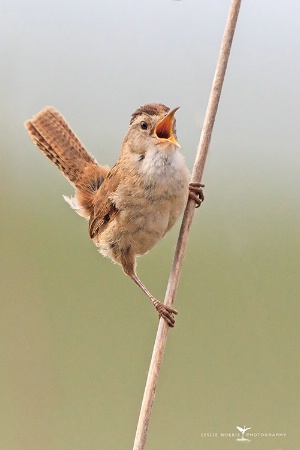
x: 76, y: 334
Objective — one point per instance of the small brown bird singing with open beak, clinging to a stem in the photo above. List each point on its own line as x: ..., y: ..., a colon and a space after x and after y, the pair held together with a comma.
x: 131, y: 206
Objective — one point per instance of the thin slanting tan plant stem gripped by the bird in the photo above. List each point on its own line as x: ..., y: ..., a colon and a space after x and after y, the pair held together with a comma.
x: 202, y: 150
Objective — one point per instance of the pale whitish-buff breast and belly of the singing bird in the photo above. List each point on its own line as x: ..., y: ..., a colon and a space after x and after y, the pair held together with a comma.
x: 149, y: 204
